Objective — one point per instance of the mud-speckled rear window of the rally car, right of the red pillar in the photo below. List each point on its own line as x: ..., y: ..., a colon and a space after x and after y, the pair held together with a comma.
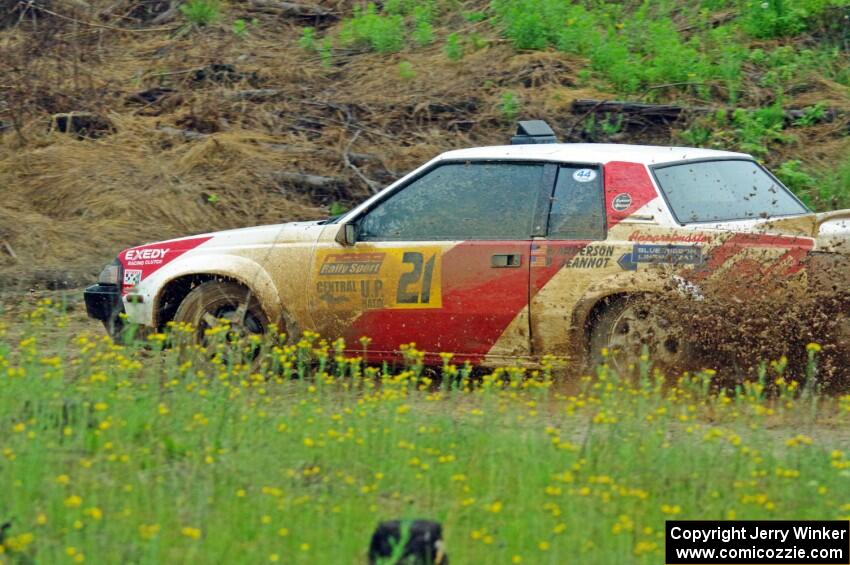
x: 724, y: 190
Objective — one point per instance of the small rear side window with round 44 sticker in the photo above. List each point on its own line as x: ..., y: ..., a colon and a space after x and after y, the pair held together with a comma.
x: 578, y: 207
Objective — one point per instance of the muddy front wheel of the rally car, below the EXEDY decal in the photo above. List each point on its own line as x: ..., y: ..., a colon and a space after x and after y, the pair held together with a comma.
x: 213, y: 300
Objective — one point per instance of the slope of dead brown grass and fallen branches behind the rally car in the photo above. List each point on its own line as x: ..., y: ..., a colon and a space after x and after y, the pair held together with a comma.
x: 202, y: 129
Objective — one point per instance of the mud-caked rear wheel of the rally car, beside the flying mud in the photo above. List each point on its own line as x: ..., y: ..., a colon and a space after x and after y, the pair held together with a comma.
x: 626, y: 325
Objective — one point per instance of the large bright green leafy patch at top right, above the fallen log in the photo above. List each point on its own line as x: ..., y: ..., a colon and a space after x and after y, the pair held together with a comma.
x: 636, y: 48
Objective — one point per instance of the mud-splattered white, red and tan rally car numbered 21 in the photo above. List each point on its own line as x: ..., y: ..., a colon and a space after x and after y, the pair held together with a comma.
x: 498, y: 255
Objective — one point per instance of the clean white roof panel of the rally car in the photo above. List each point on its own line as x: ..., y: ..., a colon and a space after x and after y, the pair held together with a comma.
x: 591, y: 153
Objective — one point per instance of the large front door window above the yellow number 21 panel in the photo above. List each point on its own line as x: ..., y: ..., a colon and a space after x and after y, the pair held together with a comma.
x: 463, y: 201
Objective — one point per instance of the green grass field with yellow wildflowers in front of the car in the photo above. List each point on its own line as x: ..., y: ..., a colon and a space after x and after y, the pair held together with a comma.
x: 130, y: 454
